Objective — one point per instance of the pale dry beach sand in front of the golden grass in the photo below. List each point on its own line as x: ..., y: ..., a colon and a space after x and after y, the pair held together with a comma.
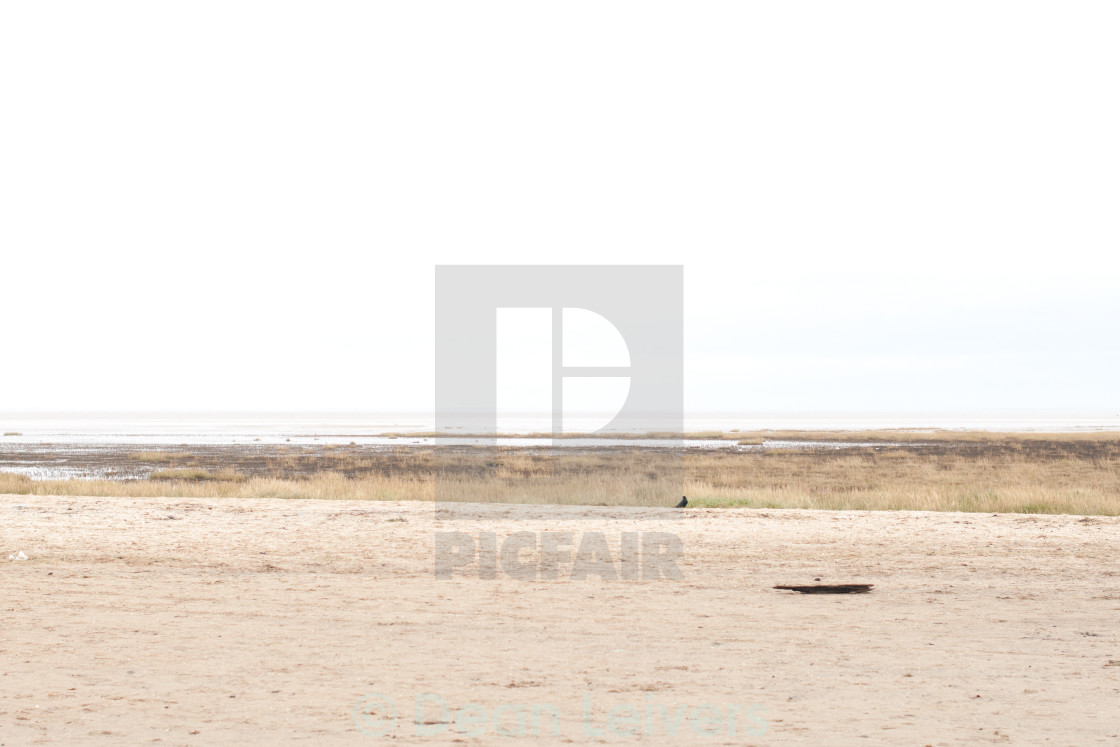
x: 266, y: 622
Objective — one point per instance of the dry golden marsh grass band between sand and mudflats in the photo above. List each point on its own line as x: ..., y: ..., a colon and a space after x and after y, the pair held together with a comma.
x: 1037, y: 473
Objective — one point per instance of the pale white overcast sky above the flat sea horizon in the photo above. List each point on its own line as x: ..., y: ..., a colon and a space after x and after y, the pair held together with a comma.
x: 879, y: 206
